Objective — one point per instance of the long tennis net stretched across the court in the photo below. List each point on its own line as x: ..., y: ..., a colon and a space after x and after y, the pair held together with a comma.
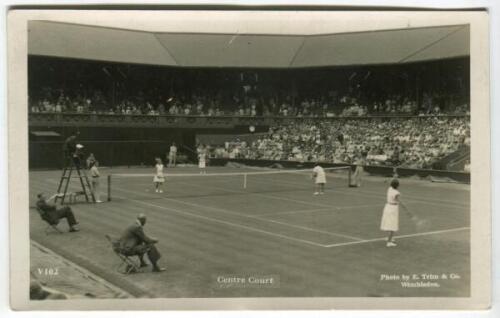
x: 141, y: 186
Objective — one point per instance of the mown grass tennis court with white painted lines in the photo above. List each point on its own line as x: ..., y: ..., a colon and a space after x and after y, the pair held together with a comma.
x: 210, y: 227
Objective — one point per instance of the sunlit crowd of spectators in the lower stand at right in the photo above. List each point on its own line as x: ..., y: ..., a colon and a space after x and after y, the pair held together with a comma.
x: 412, y: 143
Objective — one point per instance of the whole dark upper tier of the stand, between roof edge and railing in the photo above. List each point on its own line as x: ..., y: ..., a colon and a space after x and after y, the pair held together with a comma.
x: 73, y: 86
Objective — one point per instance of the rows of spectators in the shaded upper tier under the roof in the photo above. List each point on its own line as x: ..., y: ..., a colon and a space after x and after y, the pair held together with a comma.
x: 198, y: 105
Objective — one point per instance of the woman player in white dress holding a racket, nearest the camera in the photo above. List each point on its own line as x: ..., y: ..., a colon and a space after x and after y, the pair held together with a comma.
x: 390, y: 216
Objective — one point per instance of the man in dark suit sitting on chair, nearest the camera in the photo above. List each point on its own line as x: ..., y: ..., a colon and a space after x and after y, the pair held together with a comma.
x: 135, y: 242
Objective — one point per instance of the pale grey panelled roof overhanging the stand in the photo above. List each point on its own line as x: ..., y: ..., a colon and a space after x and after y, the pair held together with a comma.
x: 394, y: 46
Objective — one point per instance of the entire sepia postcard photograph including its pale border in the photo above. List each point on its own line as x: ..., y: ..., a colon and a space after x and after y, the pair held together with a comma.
x: 241, y: 155
